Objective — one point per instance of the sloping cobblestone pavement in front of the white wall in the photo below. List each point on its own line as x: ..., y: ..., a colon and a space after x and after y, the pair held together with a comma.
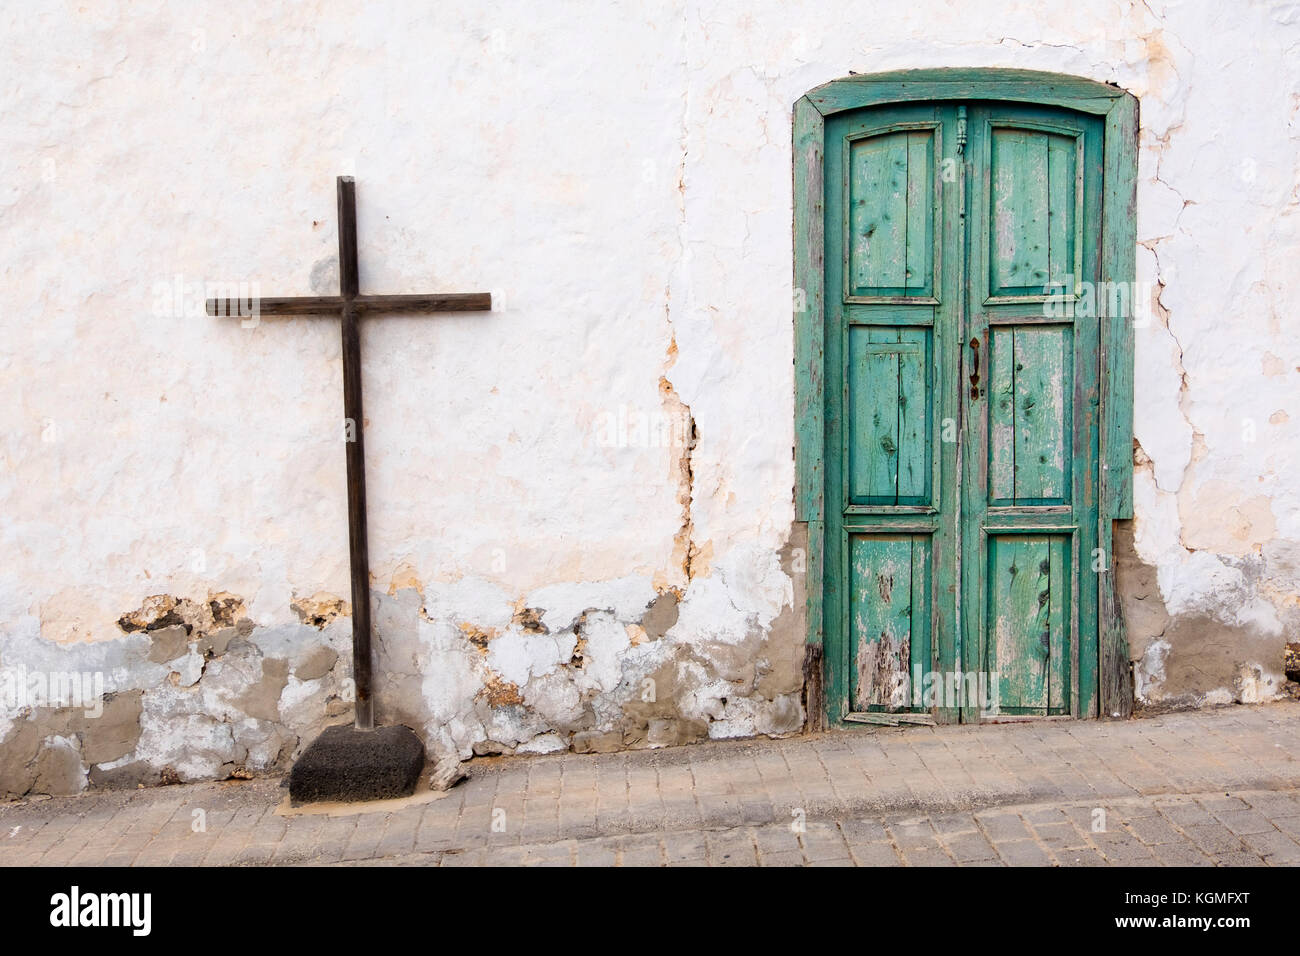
x: 1215, y: 788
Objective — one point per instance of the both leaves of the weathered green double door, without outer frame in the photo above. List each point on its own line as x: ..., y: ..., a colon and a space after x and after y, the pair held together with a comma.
x: 961, y: 412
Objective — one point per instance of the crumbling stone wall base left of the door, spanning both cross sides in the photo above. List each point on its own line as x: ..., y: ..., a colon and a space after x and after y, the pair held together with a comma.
x: 196, y: 691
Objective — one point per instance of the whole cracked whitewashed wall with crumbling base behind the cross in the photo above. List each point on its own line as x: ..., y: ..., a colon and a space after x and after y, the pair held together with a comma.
x: 619, y: 176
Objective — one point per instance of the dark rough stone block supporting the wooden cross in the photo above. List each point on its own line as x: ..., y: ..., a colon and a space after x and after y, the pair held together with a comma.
x: 348, y: 764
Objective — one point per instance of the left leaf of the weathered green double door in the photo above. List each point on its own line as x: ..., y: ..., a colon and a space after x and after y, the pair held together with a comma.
x: 890, y: 540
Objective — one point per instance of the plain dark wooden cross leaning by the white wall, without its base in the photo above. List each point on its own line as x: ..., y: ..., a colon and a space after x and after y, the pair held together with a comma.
x: 350, y: 305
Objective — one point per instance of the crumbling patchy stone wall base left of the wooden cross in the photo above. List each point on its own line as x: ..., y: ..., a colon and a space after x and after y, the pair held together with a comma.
x: 192, y: 690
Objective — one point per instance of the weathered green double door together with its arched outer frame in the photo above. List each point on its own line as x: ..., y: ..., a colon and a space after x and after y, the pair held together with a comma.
x: 926, y: 516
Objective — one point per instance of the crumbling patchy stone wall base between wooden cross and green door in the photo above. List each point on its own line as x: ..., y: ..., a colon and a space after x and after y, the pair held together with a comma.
x: 552, y: 672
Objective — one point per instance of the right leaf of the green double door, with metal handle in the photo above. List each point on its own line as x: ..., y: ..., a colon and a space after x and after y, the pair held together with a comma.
x: 1030, y: 458
